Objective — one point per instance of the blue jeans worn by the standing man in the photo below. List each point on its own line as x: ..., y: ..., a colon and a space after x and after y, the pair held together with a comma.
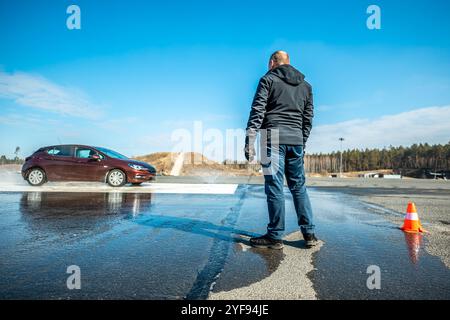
x: 286, y: 160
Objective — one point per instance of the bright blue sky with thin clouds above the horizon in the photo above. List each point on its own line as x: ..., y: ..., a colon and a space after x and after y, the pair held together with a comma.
x: 137, y: 70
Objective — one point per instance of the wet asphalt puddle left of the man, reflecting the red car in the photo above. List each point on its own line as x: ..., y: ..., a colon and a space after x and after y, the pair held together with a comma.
x: 128, y: 245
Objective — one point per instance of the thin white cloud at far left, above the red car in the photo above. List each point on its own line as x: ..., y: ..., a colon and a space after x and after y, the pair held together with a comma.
x: 39, y: 93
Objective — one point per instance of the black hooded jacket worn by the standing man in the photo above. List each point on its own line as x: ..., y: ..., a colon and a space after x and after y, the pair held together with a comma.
x: 283, y: 101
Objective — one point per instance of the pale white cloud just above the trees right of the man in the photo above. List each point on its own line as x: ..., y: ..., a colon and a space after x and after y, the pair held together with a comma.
x: 431, y: 125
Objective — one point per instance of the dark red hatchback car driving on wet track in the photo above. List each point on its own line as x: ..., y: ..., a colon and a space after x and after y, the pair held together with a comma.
x: 84, y: 163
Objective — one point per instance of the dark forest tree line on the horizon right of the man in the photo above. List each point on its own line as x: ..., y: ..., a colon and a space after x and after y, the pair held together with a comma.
x: 417, y: 156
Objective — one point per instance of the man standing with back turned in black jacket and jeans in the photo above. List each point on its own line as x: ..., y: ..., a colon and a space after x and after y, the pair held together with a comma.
x: 283, y: 106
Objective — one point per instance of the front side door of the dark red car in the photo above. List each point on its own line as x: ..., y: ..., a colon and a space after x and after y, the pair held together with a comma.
x: 86, y: 168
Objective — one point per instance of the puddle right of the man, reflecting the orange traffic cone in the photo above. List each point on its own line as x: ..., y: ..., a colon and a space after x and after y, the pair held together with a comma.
x: 356, y: 238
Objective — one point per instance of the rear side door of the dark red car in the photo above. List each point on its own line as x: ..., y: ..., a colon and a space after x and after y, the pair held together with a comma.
x: 58, y: 163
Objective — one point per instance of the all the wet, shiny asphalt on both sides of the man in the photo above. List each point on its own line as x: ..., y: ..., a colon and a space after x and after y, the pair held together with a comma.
x: 178, y: 246
